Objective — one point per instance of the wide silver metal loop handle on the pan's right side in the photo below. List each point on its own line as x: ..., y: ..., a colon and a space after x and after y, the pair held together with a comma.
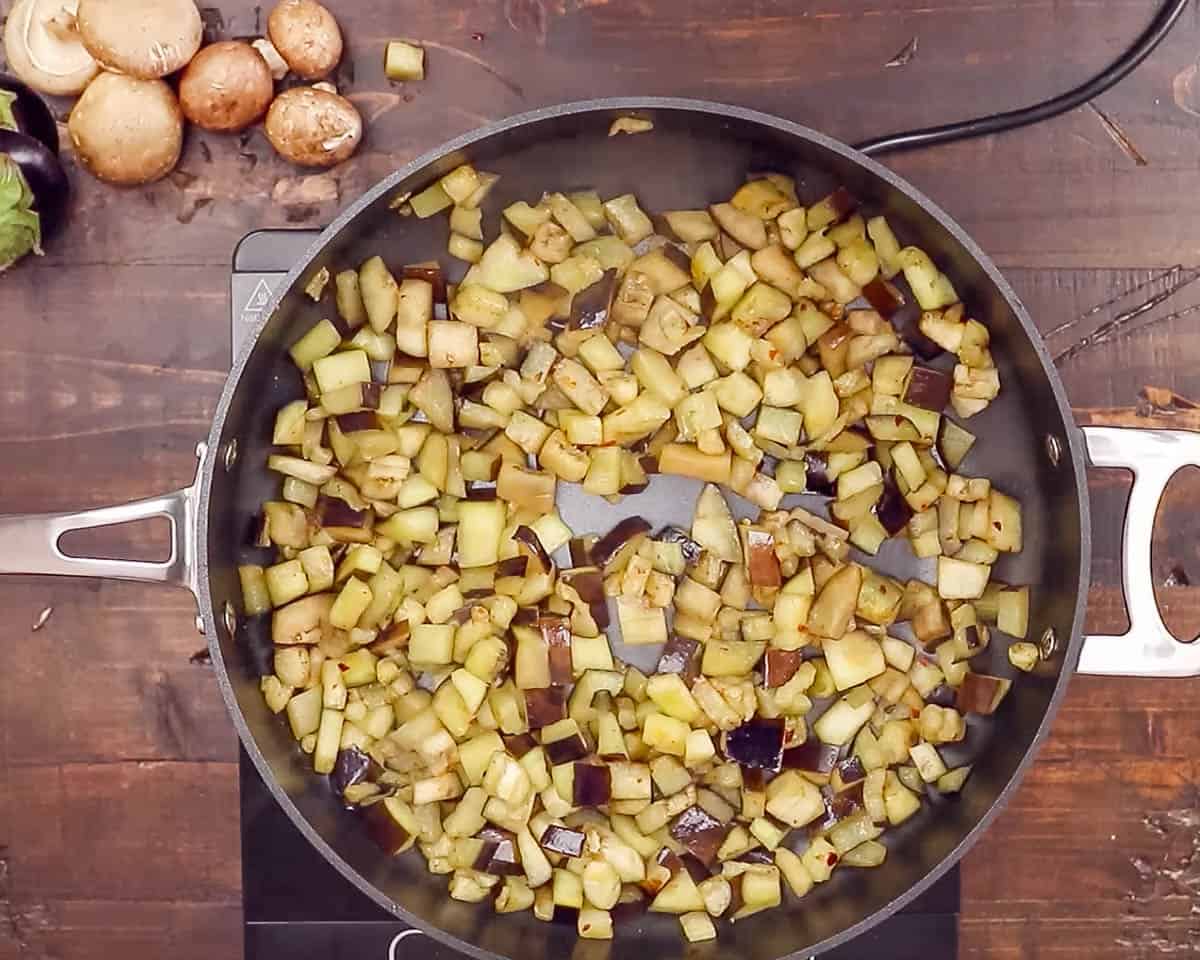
x: 1148, y: 649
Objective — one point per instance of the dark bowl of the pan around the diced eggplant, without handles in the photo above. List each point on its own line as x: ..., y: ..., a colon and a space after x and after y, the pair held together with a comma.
x: 695, y: 155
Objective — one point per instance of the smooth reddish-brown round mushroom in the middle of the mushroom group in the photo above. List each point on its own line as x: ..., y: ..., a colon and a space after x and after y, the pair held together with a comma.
x: 226, y: 88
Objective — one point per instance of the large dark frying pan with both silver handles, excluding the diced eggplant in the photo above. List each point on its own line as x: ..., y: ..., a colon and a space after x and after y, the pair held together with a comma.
x: 1029, y: 446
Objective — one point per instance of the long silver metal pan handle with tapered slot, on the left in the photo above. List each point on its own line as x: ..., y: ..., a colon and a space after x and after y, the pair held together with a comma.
x: 29, y: 544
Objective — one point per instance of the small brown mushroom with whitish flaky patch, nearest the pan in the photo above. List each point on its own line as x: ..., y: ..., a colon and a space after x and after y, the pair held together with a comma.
x: 314, y: 128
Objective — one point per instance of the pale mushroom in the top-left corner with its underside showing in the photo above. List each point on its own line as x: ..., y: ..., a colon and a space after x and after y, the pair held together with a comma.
x: 45, y: 50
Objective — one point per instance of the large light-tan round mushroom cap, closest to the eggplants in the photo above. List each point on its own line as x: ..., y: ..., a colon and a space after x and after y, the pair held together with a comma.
x: 128, y: 131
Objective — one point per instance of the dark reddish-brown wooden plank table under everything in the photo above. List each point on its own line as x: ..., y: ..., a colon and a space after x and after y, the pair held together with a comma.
x: 118, y: 778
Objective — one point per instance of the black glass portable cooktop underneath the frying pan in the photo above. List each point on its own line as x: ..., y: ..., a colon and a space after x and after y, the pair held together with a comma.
x: 299, y: 908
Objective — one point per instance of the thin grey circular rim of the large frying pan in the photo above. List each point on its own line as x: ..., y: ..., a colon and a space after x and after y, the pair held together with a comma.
x: 1073, y: 439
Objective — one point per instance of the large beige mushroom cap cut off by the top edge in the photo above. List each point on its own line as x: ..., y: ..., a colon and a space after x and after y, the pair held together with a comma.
x: 146, y: 39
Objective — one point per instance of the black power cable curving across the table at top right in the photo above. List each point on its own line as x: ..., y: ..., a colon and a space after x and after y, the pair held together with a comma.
x: 998, y: 123
